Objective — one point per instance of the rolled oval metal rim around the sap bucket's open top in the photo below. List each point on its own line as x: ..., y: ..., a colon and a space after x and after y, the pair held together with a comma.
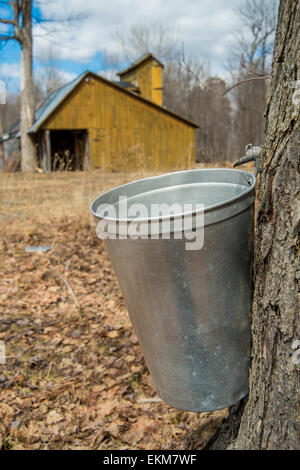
x: 227, y: 202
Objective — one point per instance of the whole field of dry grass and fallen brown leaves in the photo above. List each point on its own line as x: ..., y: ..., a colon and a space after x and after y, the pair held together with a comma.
x: 75, y: 376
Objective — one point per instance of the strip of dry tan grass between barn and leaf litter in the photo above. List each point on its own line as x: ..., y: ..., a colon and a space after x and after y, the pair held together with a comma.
x: 28, y: 201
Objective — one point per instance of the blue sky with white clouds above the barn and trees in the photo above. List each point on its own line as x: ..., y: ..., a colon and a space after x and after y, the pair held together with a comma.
x: 204, y: 26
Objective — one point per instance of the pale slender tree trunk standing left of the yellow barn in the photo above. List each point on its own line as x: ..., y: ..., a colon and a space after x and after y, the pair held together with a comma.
x: 28, y: 148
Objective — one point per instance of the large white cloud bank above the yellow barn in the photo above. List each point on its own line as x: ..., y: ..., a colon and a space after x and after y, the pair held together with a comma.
x: 205, y: 25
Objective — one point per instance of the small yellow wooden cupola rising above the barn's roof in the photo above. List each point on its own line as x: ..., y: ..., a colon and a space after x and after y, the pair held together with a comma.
x: 145, y: 75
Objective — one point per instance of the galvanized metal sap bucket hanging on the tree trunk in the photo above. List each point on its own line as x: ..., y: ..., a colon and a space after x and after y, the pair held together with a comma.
x: 190, y: 309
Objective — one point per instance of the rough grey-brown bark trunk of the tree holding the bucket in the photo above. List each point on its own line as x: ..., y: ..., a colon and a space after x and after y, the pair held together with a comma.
x: 268, y: 419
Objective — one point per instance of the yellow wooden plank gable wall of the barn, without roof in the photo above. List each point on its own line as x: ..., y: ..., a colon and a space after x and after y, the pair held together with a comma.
x: 124, y: 132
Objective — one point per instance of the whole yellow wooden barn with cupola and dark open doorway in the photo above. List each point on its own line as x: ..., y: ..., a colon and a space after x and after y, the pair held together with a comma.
x: 95, y: 123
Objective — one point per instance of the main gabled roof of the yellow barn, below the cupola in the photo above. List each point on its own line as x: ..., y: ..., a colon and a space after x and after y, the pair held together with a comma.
x: 58, y: 96
